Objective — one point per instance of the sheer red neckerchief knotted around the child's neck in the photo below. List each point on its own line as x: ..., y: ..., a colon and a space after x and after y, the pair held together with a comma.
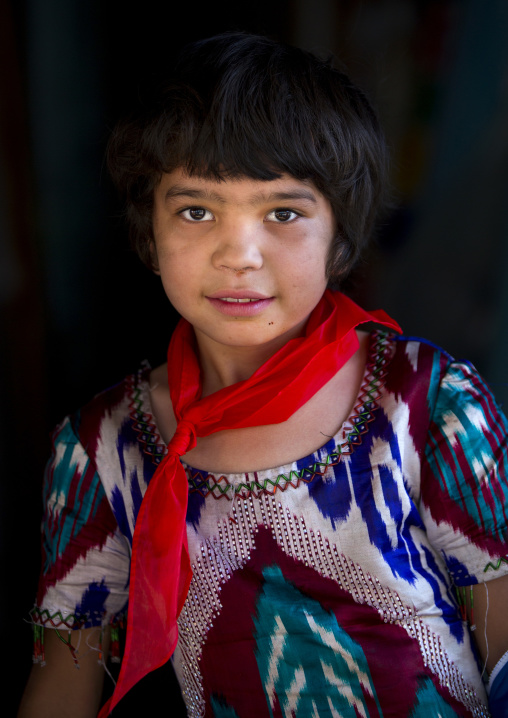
x: 160, y: 567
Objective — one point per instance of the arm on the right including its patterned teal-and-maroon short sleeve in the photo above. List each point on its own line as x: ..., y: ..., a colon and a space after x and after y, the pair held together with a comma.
x: 466, y: 488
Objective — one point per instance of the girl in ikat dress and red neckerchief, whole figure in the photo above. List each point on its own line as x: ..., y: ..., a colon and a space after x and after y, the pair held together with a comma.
x: 308, y: 517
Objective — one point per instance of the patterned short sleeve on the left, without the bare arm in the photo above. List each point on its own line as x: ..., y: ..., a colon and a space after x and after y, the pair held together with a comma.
x: 85, y: 559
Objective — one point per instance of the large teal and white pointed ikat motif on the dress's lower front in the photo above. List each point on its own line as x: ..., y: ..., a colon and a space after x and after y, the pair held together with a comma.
x: 306, y: 660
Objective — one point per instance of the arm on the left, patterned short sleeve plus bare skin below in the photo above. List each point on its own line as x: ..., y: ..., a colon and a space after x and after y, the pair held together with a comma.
x: 83, y: 582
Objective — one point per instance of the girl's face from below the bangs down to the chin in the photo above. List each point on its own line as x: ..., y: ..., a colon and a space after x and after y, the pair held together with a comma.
x: 242, y: 260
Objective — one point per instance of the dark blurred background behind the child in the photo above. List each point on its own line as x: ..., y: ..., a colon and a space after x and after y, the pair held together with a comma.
x: 77, y: 309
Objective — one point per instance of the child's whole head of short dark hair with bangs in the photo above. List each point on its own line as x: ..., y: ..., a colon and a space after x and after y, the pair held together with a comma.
x: 243, y: 105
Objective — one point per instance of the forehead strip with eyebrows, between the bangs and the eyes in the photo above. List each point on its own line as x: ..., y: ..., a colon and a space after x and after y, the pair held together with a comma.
x: 238, y: 190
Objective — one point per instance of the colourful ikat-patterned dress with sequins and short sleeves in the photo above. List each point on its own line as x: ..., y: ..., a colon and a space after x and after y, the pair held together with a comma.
x: 321, y: 588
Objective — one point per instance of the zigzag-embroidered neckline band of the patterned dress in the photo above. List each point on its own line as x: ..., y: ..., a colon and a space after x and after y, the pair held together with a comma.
x: 221, y: 486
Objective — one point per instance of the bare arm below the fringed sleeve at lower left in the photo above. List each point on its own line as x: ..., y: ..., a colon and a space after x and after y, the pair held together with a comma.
x: 59, y: 689
